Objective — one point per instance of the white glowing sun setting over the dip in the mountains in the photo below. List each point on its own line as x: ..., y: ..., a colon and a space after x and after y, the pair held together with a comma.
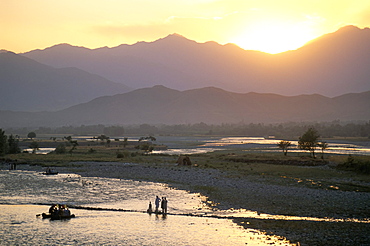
x: 274, y: 37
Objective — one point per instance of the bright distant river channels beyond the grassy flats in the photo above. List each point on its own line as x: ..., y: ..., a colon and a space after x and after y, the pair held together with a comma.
x: 200, y: 144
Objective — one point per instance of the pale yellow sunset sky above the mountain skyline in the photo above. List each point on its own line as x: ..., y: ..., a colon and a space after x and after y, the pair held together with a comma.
x: 267, y: 25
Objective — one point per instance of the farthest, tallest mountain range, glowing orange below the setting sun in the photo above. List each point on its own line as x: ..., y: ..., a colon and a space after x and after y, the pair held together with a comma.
x: 332, y: 65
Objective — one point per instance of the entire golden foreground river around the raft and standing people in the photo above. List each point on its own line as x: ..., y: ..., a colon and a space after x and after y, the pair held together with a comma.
x: 22, y: 192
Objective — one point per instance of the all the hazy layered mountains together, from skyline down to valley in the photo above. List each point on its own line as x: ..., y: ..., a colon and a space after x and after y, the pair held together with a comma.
x: 328, y: 79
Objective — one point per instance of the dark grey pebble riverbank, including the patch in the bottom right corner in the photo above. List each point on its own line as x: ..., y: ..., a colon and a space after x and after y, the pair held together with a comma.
x: 263, y: 194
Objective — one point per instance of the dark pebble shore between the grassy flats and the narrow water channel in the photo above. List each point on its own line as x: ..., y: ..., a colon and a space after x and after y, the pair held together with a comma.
x: 234, y: 192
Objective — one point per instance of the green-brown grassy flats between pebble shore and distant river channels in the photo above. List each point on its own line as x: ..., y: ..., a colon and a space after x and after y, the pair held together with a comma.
x: 294, y: 169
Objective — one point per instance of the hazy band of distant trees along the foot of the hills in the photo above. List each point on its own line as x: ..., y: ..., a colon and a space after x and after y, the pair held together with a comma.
x: 284, y: 131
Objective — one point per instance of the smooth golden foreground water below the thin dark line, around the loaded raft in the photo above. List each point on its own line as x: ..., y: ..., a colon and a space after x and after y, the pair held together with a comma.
x: 20, y: 226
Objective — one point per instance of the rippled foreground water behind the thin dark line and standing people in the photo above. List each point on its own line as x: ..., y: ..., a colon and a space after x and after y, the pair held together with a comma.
x: 28, y: 187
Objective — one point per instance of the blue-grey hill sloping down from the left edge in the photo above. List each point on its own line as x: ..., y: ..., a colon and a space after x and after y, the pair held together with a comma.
x: 27, y: 85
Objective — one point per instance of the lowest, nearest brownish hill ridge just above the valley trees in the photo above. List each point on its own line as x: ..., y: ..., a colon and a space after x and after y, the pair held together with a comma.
x: 161, y: 105
